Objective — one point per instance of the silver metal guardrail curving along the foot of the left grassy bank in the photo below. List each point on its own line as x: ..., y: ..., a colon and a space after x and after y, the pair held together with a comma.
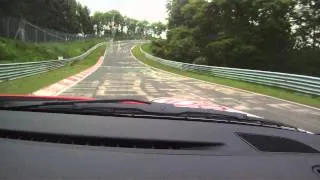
x: 18, y: 70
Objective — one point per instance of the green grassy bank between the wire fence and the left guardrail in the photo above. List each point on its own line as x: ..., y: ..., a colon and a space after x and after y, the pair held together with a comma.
x: 12, y: 51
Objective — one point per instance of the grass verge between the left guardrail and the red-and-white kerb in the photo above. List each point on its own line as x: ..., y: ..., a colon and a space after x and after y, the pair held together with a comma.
x: 33, y: 83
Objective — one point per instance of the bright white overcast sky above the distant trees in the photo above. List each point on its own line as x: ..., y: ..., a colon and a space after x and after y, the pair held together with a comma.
x: 150, y: 10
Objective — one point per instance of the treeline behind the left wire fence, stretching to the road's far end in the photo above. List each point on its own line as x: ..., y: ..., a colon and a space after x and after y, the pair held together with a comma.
x: 71, y: 17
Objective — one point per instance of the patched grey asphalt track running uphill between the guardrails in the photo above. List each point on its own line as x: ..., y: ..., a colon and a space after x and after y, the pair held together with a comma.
x: 122, y: 76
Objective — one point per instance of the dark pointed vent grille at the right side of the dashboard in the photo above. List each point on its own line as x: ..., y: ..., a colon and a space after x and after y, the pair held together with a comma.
x: 276, y: 144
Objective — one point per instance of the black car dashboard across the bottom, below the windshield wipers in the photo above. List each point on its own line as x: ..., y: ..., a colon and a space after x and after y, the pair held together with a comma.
x: 37, y: 145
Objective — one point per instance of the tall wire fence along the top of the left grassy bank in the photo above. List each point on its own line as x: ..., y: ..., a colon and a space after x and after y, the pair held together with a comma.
x: 23, y: 30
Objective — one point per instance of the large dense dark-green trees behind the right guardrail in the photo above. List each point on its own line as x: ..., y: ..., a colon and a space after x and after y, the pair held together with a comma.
x: 274, y: 35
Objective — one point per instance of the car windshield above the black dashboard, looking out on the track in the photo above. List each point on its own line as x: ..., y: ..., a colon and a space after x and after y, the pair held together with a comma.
x: 256, y: 57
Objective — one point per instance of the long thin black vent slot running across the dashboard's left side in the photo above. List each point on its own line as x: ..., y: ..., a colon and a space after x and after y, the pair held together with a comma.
x: 106, y: 141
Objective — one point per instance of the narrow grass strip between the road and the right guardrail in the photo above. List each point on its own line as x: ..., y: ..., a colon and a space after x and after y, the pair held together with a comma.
x: 267, y: 90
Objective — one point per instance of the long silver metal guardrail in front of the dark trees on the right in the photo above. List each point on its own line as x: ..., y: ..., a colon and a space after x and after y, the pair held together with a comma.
x: 300, y: 83
